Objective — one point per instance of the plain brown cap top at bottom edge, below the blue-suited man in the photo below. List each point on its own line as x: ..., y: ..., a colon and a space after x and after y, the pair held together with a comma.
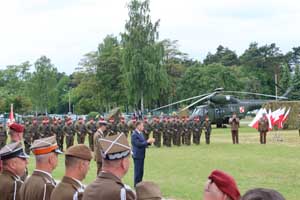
x: 147, y: 190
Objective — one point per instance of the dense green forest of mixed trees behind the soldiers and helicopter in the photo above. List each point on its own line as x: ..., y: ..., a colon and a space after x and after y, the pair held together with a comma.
x: 138, y: 70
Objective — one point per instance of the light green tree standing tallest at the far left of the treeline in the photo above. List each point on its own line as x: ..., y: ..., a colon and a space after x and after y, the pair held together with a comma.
x: 42, y: 85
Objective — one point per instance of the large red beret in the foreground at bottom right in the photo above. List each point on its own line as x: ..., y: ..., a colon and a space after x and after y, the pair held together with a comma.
x: 225, y: 183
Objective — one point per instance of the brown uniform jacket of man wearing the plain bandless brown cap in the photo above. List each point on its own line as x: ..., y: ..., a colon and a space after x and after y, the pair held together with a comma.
x: 67, y: 189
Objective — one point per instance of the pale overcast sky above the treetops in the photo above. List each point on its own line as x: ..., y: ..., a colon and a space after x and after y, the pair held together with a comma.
x: 64, y: 30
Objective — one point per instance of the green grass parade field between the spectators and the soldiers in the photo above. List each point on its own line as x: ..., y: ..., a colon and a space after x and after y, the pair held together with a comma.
x: 182, y: 171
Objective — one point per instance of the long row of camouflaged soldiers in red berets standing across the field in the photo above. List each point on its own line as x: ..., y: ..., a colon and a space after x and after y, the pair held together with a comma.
x: 167, y: 131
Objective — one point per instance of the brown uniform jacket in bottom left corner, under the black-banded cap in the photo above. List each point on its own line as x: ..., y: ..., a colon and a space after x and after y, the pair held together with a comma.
x: 10, y: 185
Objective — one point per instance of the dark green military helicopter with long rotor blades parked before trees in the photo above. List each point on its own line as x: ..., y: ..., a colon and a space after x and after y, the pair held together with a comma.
x: 219, y: 107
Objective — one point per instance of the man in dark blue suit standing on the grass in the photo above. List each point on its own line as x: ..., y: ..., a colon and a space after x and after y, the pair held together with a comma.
x: 139, y: 145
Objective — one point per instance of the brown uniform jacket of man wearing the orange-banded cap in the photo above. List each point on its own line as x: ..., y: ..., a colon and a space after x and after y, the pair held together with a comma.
x: 38, y: 186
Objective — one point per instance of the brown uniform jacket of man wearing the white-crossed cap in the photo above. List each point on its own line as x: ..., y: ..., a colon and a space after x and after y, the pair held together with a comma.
x: 108, y: 187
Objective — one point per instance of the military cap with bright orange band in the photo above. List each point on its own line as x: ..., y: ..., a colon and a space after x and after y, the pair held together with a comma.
x: 45, y: 146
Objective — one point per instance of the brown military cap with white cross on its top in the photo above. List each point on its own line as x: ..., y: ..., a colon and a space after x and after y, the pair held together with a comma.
x: 114, y: 147
